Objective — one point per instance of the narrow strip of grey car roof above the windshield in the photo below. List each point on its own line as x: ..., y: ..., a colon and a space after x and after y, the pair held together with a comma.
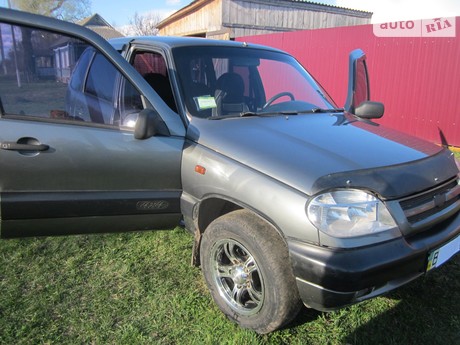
x: 173, y: 42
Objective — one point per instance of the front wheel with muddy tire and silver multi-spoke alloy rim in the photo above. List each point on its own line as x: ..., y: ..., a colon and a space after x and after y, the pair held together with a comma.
x: 247, y: 269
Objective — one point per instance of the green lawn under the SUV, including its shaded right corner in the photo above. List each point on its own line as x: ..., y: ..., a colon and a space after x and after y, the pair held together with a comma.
x: 139, y: 288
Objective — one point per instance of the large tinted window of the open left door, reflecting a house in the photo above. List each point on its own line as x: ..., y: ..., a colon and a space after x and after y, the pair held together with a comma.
x: 53, y: 77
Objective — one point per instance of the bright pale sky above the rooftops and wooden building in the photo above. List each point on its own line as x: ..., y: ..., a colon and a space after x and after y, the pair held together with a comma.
x: 119, y: 13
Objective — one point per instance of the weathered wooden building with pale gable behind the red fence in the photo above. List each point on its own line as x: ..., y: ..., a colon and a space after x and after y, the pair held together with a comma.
x: 228, y: 19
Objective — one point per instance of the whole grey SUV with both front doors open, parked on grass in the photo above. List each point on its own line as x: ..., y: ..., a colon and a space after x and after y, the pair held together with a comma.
x: 290, y: 198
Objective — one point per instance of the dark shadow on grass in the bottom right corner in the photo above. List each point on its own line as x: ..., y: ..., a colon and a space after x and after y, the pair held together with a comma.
x: 426, y: 312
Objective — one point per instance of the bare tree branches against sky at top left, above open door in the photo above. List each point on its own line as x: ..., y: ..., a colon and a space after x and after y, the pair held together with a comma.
x: 69, y: 10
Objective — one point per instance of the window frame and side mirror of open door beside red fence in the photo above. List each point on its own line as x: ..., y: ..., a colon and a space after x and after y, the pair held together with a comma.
x: 358, y: 97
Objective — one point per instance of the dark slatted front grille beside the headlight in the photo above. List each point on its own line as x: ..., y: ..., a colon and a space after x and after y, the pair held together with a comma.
x: 424, y: 205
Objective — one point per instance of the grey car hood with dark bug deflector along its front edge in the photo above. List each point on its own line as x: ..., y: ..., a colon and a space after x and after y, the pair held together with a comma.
x: 316, y: 152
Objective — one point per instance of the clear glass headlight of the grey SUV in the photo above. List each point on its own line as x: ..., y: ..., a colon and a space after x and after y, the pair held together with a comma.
x: 349, y: 213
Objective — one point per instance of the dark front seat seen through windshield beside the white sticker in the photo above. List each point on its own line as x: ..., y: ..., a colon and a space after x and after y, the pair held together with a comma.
x: 229, y: 95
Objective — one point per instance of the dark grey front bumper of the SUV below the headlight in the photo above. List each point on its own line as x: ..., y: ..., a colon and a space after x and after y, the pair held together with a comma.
x: 328, y: 279
